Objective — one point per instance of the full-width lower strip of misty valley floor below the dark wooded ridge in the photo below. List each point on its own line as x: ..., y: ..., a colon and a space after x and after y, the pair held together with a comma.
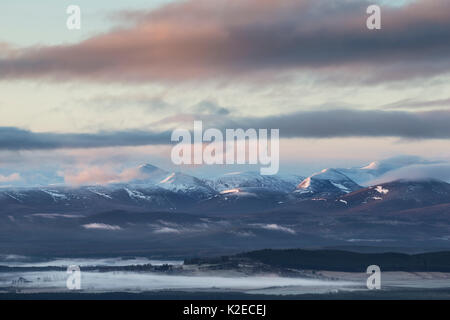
x: 119, y: 281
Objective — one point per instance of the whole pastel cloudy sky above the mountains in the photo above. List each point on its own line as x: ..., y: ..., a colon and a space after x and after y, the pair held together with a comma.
x: 107, y: 96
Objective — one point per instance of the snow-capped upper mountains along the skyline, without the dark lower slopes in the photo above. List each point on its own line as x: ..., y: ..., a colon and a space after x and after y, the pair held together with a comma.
x: 156, y: 189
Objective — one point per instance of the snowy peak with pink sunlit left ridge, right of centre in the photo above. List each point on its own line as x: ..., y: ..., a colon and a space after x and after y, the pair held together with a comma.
x: 326, y: 183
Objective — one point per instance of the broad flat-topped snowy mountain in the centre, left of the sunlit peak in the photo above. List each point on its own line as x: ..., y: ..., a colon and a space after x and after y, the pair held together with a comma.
x: 250, y: 179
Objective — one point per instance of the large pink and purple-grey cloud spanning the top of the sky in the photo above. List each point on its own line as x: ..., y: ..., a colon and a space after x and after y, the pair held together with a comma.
x: 201, y: 39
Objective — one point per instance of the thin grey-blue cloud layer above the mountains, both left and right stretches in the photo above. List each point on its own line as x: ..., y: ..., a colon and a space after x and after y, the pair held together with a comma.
x: 314, y: 124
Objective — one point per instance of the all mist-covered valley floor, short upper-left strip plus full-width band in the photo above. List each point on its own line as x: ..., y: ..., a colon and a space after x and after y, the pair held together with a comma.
x: 43, y: 281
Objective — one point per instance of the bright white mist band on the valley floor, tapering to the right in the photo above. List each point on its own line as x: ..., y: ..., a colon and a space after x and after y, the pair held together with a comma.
x: 139, y: 282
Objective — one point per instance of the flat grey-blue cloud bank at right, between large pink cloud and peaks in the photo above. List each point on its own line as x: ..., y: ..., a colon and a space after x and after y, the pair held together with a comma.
x: 353, y: 123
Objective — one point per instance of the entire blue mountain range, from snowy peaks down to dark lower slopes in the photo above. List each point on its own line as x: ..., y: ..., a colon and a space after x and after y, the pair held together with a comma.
x: 173, y: 213
